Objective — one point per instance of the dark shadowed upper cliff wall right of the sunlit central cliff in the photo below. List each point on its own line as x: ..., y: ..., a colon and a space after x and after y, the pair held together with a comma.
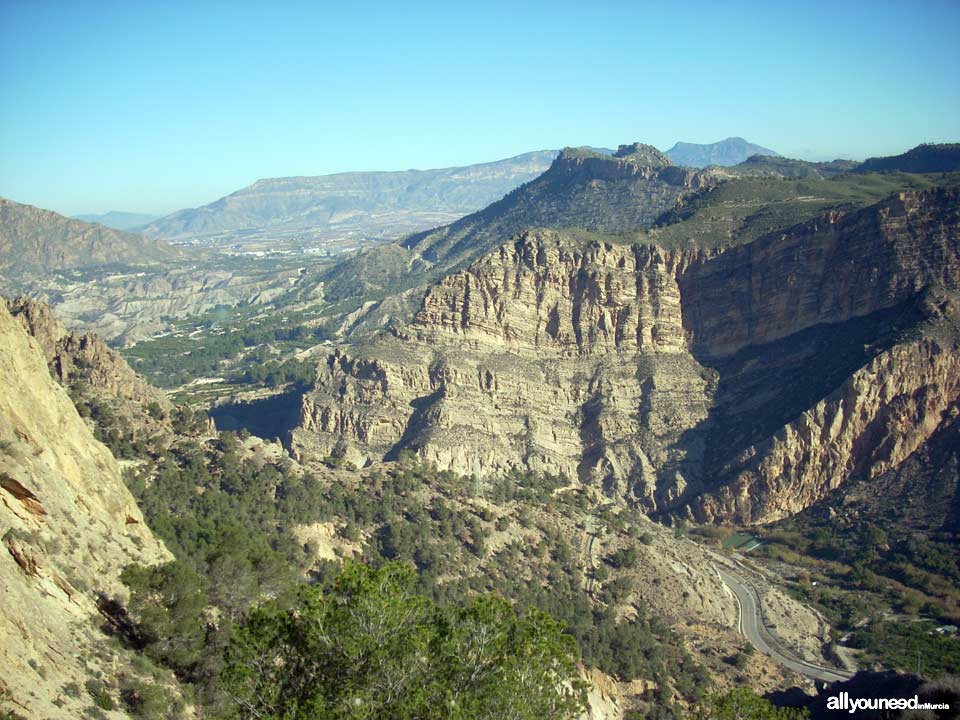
x: 824, y: 271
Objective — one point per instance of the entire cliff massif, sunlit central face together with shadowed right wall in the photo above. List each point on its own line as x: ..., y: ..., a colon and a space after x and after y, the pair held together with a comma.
x: 744, y: 385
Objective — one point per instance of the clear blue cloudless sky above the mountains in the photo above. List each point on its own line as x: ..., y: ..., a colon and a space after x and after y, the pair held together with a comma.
x: 154, y: 106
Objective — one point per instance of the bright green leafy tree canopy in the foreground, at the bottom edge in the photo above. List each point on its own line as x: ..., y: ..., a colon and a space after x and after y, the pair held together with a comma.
x: 370, y: 647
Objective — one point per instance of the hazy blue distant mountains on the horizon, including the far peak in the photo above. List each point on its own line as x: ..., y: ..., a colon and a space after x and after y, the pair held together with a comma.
x: 391, y: 204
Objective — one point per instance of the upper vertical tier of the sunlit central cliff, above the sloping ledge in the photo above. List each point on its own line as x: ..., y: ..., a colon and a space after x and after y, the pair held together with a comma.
x: 541, y: 293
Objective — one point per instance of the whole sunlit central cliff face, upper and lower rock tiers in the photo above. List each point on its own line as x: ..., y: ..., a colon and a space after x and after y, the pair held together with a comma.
x: 545, y: 356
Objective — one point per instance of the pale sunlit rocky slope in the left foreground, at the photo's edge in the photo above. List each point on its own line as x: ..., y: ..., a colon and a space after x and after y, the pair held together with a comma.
x: 68, y: 527
